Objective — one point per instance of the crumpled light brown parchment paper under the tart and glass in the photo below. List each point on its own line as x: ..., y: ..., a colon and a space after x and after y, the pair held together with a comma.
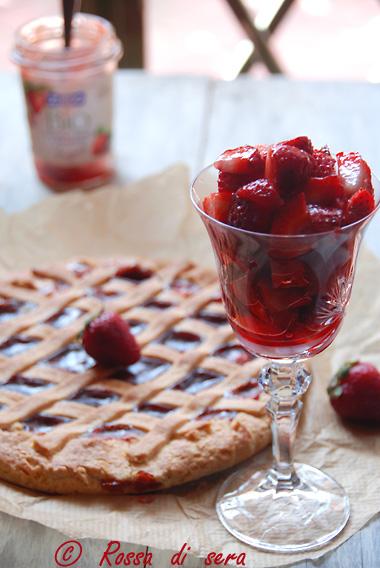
x: 154, y: 217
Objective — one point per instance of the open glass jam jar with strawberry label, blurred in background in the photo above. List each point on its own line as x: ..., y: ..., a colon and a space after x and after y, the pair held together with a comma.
x: 68, y: 94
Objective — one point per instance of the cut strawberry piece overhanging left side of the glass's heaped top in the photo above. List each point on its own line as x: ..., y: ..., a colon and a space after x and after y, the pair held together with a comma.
x: 242, y: 160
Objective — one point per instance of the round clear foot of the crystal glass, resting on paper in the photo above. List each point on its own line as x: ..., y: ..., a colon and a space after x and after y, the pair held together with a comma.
x: 257, y: 512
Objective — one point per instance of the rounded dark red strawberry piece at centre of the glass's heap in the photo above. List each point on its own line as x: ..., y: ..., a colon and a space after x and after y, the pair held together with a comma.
x: 287, y: 167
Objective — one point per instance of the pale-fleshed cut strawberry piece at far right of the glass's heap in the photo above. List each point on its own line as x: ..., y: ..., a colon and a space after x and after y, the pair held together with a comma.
x: 354, y: 171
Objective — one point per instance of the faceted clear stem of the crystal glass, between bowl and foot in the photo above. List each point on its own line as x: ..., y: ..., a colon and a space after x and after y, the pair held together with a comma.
x: 285, y: 383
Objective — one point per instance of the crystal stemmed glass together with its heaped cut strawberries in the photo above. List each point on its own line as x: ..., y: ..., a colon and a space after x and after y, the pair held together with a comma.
x: 285, y: 222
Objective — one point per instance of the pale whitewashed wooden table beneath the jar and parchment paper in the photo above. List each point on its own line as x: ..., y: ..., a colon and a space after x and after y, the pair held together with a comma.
x: 160, y: 121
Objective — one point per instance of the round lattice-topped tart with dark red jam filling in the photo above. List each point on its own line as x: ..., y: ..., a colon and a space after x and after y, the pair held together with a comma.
x: 189, y: 407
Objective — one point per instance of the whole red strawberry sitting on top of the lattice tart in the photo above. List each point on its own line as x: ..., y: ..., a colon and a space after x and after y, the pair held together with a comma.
x: 109, y: 340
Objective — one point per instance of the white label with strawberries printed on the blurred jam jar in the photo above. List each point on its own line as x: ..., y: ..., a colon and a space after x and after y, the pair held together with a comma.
x: 70, y: 123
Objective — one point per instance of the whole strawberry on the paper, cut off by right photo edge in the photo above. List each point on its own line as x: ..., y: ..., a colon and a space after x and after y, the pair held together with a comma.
x: 355, y: 392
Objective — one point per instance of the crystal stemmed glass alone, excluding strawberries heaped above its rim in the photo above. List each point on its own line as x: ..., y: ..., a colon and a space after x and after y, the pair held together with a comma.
x: 285, y: 298
